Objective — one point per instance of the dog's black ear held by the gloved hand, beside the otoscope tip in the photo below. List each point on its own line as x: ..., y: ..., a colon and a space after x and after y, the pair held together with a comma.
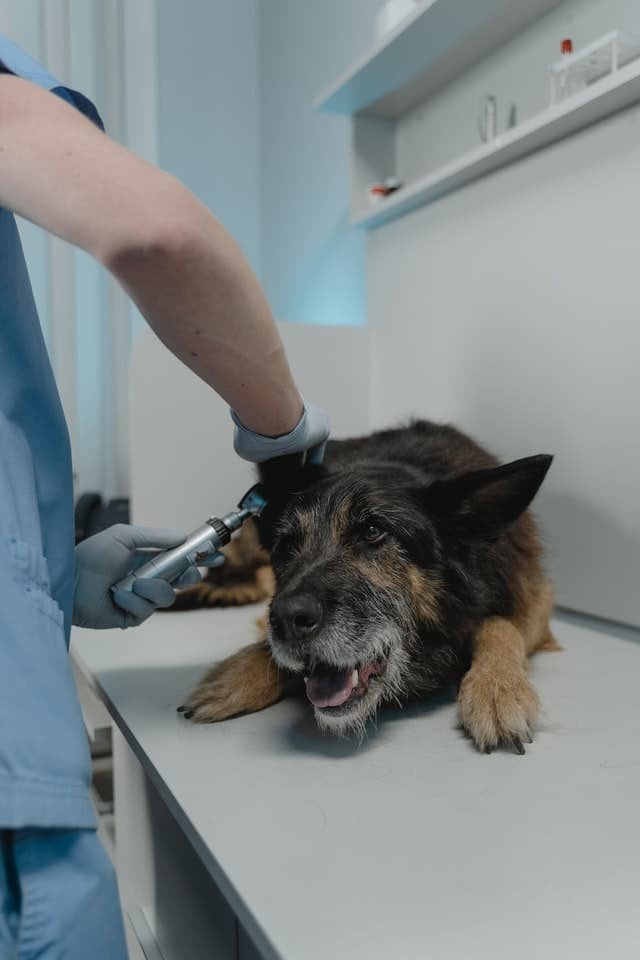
x: 282, y: 480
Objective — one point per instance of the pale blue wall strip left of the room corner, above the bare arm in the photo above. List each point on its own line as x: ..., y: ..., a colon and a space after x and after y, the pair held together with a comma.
x: 208, y: 108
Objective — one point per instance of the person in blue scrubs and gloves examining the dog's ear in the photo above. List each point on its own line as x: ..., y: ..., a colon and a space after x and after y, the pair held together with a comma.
x: 58, y: 896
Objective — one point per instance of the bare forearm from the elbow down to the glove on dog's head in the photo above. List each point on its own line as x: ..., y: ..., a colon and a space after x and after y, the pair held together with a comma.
x: 202, y: 300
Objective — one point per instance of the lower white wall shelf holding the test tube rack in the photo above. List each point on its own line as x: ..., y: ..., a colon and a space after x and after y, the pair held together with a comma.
x: 615, y: 92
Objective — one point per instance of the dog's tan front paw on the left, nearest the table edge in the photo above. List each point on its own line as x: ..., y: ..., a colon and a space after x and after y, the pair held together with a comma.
x: 243, y: 683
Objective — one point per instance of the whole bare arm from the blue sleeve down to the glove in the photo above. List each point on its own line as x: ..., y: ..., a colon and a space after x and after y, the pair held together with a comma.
x: 186, y: 274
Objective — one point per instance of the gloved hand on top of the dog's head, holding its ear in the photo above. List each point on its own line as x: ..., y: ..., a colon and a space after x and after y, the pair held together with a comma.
x: 310, y: 436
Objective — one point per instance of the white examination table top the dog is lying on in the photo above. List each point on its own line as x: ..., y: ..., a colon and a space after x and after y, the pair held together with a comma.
x: 411, y: 845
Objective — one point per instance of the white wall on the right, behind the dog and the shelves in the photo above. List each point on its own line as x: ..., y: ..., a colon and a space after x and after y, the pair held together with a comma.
x: 511, y: 307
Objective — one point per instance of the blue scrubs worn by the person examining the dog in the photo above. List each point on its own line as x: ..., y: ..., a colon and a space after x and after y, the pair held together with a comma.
x: 54, y: 877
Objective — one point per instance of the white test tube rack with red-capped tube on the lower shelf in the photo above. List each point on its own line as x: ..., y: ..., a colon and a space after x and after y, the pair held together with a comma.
x: 575, y: 71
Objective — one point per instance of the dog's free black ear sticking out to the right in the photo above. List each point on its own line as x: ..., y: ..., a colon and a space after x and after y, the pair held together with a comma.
x: 484, y: 503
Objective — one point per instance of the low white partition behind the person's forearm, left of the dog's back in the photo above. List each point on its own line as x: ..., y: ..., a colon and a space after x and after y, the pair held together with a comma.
x: 180, y: 476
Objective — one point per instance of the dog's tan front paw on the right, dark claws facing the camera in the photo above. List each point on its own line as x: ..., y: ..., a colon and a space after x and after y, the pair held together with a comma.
x: 498, y: 709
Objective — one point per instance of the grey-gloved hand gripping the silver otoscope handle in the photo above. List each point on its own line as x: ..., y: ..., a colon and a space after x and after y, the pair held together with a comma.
x: 109, y: 556
